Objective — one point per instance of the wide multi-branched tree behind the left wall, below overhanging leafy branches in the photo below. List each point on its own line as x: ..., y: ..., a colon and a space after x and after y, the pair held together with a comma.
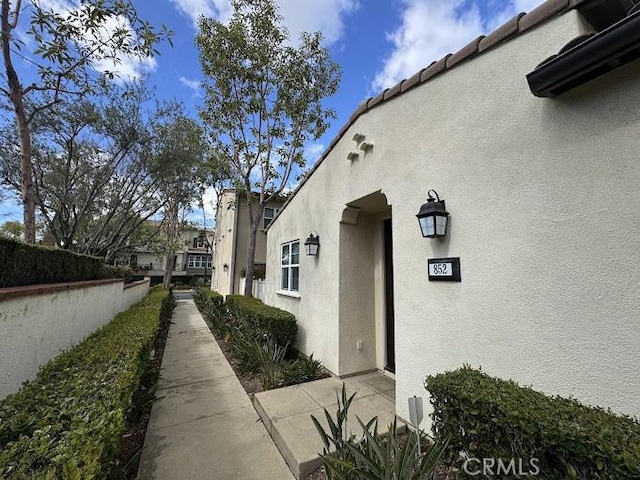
x: 93, y: 180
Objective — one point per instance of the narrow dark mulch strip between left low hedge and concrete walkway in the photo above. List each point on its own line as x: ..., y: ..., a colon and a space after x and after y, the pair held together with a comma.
x: 125, y: 466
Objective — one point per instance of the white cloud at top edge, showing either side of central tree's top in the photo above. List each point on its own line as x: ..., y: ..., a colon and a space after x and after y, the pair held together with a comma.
x: 326, y: 16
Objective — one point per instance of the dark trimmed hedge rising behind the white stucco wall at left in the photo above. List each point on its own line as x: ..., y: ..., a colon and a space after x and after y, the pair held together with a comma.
x: 25, y: 264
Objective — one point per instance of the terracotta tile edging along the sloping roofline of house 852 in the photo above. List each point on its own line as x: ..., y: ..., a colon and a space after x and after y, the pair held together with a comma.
x: 507, y: 31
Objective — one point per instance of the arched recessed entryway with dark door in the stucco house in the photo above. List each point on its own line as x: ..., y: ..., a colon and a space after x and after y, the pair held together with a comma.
x: 365, y: 292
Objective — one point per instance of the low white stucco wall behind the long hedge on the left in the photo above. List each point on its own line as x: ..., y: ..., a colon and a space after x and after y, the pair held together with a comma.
x: 38, y: 323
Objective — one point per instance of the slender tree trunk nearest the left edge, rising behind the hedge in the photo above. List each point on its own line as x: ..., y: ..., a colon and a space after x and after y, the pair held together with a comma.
x: 17, y: 101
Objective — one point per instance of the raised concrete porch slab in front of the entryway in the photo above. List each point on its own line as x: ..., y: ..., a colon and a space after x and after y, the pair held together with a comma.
x: 286, y: 413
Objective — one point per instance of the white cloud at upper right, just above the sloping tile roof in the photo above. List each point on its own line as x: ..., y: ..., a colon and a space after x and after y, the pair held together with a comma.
x: 430, y: 29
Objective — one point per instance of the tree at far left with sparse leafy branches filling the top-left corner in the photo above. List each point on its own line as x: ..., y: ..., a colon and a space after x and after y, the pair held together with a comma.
x: 72, y: 41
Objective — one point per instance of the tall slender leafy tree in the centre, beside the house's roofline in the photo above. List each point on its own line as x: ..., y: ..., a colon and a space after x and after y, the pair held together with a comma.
x: 263, y: 101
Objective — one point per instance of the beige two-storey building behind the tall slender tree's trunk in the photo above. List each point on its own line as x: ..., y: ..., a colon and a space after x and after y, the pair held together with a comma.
x: 231, y: 241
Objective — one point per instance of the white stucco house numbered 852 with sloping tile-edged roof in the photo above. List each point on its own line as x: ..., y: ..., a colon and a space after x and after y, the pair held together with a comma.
x: 540, y: 169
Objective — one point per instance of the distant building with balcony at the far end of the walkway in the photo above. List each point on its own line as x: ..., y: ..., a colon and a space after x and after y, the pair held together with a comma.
x: 193, y: 260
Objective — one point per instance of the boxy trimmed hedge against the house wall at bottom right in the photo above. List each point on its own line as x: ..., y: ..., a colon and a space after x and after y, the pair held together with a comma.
x: 487, y: 417
